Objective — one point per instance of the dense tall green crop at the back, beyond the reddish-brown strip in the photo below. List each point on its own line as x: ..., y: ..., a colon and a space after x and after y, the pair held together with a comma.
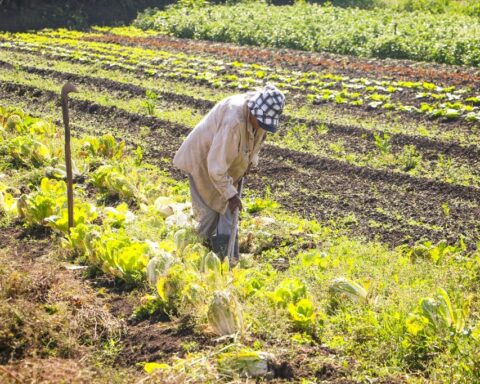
x: 382, y: 33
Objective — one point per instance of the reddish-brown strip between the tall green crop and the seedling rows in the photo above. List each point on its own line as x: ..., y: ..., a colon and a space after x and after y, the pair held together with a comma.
x: 304, y: 61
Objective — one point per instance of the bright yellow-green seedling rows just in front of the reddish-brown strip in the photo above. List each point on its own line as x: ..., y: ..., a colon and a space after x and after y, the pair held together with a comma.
x: 422, y: 98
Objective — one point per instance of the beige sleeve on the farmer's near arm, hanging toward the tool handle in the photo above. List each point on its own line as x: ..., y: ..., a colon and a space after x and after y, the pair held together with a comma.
x: 222, y: 153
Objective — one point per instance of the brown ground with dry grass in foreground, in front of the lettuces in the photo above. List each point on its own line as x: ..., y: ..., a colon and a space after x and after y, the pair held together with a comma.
x: 41, y: 345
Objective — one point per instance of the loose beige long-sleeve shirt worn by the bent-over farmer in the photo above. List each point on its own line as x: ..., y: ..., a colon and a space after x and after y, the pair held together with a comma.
x: 219, y: 149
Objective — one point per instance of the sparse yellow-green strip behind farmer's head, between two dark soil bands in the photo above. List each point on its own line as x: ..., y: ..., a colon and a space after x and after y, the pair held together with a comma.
x: 377, y: 151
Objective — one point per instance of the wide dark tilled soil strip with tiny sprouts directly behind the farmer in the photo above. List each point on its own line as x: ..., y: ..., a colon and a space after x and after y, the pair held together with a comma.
x: 395, y: 208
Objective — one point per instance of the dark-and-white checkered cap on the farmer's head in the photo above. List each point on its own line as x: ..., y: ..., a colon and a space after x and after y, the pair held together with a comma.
x: 267, y: 106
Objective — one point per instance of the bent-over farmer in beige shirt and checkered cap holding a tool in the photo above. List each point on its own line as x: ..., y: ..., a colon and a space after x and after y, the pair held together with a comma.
x: 219, y: 151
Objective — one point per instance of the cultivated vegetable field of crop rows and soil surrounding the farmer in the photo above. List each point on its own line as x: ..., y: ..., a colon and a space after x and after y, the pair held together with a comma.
x: 359, y: 234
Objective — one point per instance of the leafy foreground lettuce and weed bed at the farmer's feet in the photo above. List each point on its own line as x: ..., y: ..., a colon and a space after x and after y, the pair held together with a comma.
x: 329, y: 291
